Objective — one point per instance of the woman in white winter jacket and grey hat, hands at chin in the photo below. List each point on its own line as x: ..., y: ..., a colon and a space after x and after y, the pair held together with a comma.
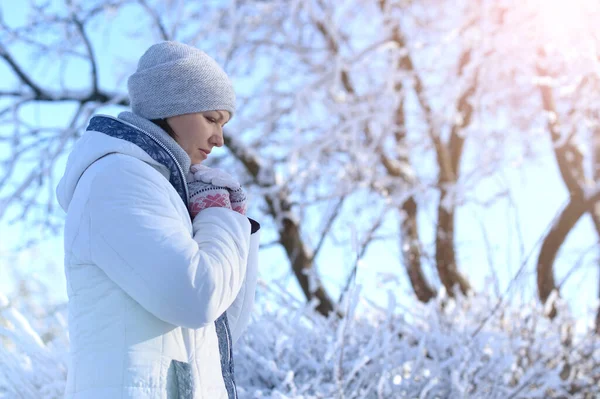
x: 160, y: 261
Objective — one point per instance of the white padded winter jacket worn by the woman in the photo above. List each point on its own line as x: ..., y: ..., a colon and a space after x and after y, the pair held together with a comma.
x: 156, y: 301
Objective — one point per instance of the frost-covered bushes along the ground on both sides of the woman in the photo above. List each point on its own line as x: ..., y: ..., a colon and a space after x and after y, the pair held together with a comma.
x: 469, y: 349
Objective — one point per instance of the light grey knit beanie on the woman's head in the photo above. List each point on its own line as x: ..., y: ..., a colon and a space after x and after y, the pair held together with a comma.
x: 174, y: 79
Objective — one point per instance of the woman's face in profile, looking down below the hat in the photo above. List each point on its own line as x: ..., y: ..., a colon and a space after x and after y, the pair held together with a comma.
x: 199, y: 132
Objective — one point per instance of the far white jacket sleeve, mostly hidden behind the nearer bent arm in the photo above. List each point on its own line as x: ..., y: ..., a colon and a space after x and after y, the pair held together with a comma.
x: 238, y: 314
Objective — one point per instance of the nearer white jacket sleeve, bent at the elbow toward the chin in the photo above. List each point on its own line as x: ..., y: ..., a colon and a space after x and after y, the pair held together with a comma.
x: 138, y: 238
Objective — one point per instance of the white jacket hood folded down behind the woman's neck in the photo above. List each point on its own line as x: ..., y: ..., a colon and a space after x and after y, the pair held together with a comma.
x: 92, y: 146
